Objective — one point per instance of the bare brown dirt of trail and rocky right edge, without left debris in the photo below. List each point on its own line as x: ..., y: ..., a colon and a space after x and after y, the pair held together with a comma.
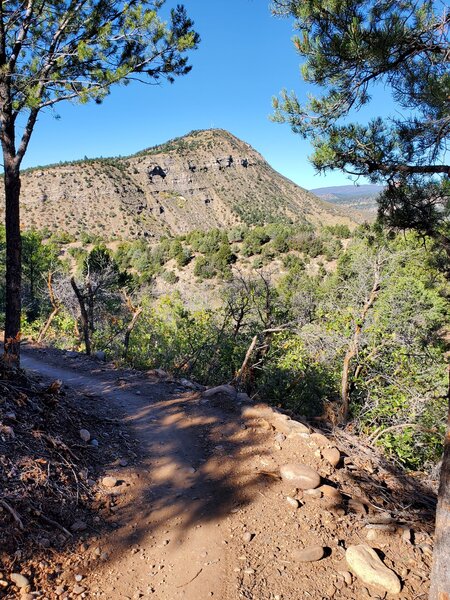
x: 195, y: 507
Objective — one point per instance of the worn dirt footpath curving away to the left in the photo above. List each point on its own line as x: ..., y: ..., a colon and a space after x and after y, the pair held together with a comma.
x: 173, y: 510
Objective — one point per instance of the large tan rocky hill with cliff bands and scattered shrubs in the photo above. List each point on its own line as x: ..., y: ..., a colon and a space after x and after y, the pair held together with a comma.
x: 205, y: 179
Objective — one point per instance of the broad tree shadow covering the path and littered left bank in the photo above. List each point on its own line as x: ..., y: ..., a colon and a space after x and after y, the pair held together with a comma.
x: 179, y: 461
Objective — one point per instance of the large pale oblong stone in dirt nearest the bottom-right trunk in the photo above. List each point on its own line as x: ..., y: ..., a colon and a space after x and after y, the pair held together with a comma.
x: 367, y: 566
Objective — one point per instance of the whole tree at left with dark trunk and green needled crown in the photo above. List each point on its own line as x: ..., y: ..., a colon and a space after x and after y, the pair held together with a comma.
x: 52, y: 51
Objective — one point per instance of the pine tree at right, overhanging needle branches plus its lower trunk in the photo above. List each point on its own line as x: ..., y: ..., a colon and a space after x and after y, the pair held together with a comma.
x: 349, y: 49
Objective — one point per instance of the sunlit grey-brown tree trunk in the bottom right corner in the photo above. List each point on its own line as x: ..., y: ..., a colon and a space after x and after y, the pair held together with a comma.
x: 440, y: 574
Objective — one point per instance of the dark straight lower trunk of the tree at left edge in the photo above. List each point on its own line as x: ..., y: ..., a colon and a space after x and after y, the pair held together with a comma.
x: 13, y: 305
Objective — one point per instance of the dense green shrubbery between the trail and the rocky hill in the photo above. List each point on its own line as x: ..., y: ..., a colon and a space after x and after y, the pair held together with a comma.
x: 306, y: 322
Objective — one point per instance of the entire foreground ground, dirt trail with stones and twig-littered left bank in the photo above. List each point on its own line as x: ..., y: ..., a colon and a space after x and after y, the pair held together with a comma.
x: 120, y: 484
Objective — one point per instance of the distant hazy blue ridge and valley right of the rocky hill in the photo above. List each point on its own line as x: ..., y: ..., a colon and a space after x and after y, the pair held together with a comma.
x: 353, y: 197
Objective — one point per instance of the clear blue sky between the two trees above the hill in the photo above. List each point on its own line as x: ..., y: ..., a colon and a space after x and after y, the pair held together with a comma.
x: 245, y: 57
